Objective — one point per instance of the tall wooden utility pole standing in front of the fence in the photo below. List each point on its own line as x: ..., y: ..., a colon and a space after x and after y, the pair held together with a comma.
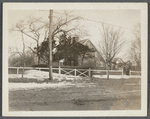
x: 50, y: 44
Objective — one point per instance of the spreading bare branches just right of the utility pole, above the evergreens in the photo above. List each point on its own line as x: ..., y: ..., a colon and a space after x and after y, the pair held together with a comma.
x: 68, y: 24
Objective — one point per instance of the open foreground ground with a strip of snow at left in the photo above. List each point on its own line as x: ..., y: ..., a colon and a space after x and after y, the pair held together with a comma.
x: 94, y: 94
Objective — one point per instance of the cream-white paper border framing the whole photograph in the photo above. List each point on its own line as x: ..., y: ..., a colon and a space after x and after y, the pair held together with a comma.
x: 78, y: 6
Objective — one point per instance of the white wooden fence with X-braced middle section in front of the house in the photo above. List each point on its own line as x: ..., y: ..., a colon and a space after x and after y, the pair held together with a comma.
x: 71, y: 72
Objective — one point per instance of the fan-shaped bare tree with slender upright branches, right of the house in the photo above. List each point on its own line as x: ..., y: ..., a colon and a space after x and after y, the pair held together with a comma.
x: 110, y: 45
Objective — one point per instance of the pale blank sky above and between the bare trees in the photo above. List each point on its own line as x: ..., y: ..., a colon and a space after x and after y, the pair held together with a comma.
x: 123, y: 19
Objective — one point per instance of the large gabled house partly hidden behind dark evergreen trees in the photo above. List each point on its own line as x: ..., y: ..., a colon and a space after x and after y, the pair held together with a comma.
x: 94, y: 60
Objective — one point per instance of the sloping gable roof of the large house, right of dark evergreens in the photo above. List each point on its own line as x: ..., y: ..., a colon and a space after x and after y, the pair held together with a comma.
x: 89, y: 43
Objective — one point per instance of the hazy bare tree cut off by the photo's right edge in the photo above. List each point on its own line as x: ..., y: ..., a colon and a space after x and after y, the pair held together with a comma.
x: 135, y: 51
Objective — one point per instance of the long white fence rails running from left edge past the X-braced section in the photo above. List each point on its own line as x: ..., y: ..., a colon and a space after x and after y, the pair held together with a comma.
x: 67, y: 71
